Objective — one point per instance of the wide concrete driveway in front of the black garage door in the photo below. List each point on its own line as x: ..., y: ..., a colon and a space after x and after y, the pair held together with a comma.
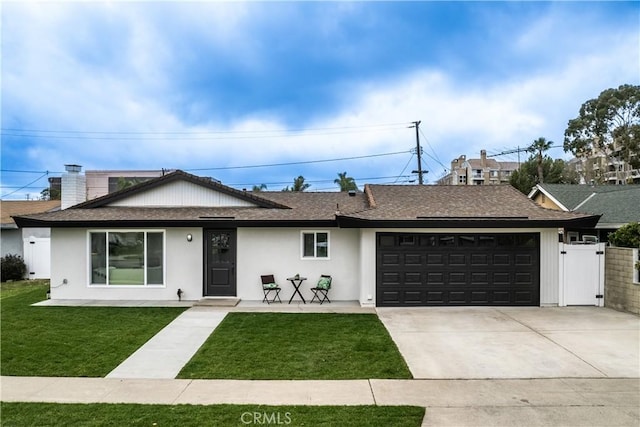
x: 514, y: 342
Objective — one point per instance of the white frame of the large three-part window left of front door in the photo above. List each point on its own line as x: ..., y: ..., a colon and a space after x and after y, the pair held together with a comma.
x: 127, y: 230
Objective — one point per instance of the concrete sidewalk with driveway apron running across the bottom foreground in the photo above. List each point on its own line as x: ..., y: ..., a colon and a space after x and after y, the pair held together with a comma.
x: 532, y: 402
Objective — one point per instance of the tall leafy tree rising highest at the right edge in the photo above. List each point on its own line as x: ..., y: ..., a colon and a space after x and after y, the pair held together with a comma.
x: 609, y: 125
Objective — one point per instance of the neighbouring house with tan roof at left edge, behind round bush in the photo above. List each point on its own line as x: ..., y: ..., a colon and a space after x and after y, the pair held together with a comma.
x: 32, y: 244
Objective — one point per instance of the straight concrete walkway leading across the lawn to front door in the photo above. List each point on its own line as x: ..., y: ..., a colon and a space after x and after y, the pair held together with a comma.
x: 164, y: 355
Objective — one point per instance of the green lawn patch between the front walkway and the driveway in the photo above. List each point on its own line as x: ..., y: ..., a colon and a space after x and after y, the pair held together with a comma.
x: 323, y: 346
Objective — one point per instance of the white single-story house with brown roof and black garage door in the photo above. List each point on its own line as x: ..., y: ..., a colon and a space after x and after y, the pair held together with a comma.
x: 389, y: 245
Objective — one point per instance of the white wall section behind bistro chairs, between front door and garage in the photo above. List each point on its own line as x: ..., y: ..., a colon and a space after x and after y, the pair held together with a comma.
x: 277, y: 251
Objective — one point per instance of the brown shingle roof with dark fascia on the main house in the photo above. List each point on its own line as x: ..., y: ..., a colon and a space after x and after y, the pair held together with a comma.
x: 378, y: 205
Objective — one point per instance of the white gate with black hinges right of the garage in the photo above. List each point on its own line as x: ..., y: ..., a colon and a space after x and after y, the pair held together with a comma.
x: 582, y: 274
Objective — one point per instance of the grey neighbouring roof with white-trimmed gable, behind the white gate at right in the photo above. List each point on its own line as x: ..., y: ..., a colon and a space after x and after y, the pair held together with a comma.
x: 618, y: 204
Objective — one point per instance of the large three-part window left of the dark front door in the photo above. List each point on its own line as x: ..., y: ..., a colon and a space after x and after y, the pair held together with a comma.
x: 133, y: 258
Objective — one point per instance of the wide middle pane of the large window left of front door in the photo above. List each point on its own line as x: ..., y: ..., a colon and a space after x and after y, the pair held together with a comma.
x: 126, y: 258
